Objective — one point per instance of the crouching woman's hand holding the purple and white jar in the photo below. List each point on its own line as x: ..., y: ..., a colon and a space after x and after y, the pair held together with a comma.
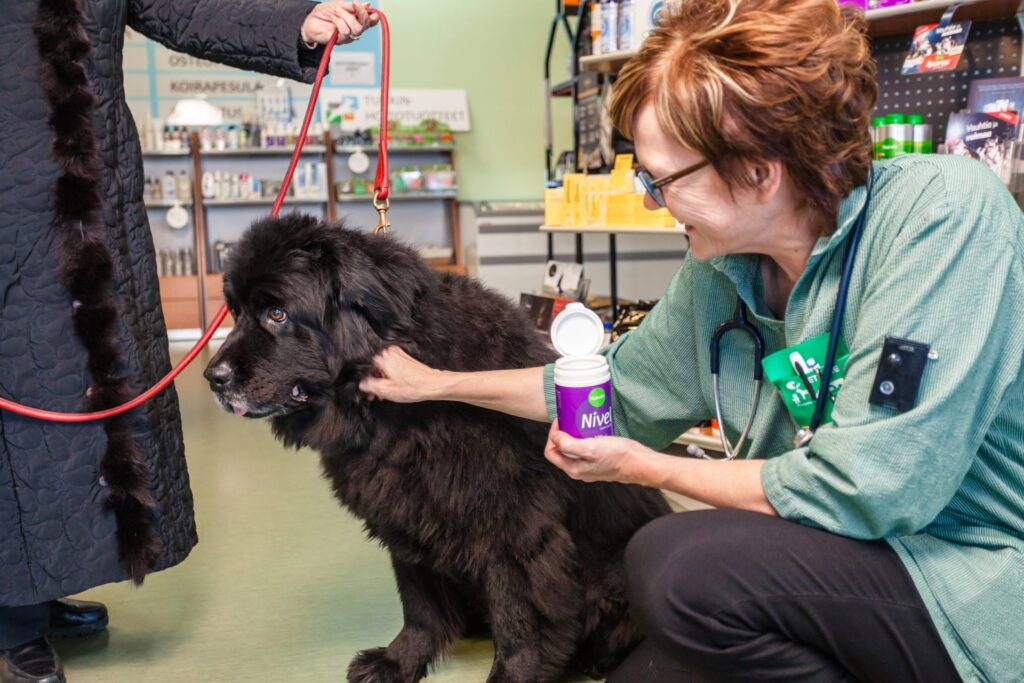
x: 602, y: 458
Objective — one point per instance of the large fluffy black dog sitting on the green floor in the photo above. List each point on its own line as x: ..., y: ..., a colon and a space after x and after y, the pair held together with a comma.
x: 482, y: 530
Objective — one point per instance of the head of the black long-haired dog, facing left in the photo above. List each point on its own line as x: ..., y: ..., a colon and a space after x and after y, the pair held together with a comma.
x: 313, y: 305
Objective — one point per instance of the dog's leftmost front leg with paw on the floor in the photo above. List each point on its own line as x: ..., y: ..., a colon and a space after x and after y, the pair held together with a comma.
x: 435, y: 617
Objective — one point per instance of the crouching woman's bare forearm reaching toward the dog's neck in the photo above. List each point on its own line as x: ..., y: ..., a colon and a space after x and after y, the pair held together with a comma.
x: 519, y: 393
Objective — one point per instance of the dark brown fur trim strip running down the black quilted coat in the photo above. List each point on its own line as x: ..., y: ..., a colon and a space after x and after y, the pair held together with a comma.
x: 87, y: 268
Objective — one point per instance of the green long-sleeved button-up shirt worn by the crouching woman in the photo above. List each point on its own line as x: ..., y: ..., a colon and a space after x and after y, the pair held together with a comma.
x: 941, y: 263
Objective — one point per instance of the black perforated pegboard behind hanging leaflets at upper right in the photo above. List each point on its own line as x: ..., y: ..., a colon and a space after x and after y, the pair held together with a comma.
x: 994, y: 51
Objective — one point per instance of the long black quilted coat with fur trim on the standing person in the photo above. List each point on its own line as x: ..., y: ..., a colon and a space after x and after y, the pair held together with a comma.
x: 80, y: 321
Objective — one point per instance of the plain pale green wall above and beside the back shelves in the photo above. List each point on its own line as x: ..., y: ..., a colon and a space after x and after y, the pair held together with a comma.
x: 495, y: 52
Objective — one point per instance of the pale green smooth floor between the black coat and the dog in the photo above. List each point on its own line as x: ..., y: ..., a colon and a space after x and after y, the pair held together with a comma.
x: 283, y: 586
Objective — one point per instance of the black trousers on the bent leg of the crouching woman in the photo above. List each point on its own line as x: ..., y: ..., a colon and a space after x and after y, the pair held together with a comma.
x: 738, y: 596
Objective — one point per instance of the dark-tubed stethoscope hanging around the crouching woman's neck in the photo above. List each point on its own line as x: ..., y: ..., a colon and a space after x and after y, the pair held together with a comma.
x: 742, y: 323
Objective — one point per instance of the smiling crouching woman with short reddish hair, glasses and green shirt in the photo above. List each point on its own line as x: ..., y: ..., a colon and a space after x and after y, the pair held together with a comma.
x: 909, y: 557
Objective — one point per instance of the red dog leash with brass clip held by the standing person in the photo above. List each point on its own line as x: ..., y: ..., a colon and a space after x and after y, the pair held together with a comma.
x: 381, y: 192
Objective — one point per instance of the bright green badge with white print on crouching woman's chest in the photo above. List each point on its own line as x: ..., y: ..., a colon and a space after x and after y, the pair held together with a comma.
x: 796, y: 372
